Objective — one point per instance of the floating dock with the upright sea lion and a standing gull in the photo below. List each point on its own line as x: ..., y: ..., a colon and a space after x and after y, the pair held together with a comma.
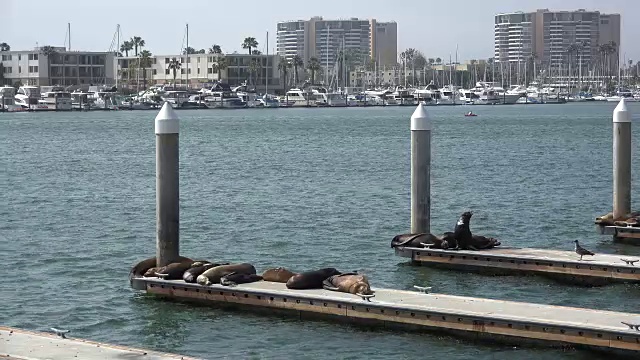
x: 592, y: 270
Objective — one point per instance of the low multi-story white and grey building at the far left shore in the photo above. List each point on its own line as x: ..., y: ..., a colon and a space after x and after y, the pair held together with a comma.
x: 34, y: 67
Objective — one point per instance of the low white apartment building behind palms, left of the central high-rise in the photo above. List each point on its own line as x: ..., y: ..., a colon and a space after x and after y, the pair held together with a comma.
x: 199, y: 69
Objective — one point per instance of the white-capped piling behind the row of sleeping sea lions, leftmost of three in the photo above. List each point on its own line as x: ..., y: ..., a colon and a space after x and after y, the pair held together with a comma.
x: 167, y: 126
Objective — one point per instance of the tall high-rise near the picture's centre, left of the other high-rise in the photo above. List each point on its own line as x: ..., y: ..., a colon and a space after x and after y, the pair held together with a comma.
x: 324, y: 39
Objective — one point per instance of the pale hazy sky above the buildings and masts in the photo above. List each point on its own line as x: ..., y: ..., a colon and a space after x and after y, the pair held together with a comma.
x: 434, y: 27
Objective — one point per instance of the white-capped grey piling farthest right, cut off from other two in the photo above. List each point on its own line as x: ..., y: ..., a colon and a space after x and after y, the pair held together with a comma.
x: 621, y: 161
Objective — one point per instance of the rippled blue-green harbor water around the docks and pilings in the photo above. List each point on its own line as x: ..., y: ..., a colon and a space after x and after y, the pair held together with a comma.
x: 297, y: 188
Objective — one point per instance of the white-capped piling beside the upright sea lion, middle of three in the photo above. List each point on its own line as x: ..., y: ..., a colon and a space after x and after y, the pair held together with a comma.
x: 420, y: 171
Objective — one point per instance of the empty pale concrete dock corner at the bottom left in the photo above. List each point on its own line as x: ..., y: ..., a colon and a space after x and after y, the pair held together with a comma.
x: 21, y: 344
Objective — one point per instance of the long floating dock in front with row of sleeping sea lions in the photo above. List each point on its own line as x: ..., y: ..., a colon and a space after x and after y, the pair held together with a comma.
x: 505, y: 321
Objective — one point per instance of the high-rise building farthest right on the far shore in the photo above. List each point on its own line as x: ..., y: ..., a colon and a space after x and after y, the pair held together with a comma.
x: 552, y: 37
